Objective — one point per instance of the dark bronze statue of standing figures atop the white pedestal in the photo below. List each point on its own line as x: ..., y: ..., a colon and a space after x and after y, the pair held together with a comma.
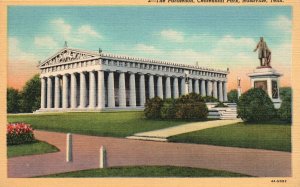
x: 264, y: 53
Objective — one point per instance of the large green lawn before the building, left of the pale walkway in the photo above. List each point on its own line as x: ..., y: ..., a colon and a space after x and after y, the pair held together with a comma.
x: 115, y: 124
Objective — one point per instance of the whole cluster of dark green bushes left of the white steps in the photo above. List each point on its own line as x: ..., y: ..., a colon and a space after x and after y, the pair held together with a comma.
x: 191, y: 106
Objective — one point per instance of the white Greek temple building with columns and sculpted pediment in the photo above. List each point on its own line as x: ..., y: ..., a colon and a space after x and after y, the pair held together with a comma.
x: 77, y: 80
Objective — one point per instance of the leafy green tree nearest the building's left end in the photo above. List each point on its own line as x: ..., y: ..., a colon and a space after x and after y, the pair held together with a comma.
x: 31, y: 95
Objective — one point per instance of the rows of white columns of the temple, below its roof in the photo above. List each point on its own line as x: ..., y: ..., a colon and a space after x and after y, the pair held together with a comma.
x: 111, y: 89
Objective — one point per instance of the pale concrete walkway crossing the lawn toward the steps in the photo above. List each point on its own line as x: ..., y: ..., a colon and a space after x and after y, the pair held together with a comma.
x: 163, y: 134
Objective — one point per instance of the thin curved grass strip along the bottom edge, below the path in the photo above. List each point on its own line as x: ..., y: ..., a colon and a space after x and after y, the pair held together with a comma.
x: 148, y: 171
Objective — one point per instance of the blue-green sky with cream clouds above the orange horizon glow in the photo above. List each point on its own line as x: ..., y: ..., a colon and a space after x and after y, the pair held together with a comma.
x: 218, y: 37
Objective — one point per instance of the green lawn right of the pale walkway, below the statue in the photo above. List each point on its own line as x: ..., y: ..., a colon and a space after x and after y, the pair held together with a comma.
x: 258, y: 136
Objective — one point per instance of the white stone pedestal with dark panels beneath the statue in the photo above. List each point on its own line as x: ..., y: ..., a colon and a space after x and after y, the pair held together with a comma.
x: 267, y: 78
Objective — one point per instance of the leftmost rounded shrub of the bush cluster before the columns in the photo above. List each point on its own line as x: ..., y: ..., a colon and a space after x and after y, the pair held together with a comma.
x: 152, y: 108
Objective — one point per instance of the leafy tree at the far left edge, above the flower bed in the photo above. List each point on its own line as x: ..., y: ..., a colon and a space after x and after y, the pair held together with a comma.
x: 13, y: 100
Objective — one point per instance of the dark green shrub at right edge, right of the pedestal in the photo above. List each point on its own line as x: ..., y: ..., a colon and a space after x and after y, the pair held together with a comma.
x: 285, y: 110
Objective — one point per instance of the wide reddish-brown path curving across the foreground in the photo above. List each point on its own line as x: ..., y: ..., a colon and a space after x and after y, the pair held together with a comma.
x: 126, y: 152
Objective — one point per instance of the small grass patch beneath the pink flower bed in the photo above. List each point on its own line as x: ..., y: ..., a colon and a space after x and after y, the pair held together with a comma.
x: 38, y: 147
